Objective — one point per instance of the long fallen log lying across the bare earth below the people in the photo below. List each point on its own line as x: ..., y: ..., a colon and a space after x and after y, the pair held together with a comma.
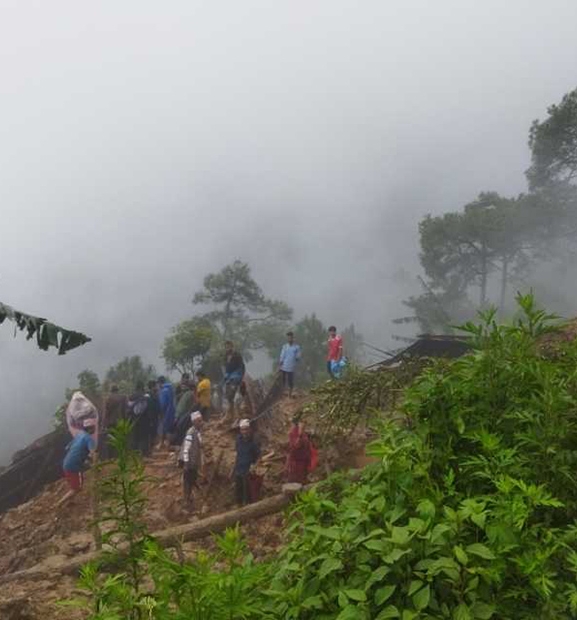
x: 167, y: 538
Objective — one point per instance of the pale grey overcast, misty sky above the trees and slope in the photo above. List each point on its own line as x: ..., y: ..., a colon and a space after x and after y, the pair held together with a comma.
x: 144, y: 144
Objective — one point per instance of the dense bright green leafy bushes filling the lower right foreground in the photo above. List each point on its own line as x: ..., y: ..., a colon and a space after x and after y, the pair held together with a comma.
x: 469, y: 513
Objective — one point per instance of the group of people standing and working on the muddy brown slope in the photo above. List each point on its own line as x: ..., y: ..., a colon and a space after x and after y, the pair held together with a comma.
x: 176, y: 417
